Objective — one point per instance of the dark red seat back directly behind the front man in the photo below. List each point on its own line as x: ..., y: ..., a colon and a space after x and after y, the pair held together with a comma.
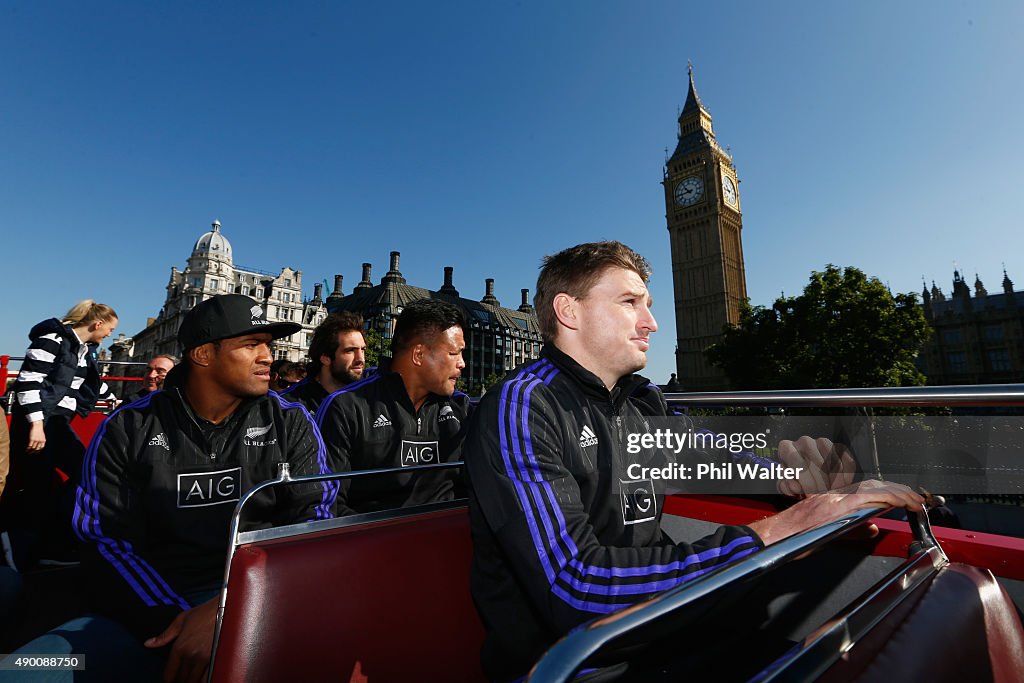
x: 378, y: 602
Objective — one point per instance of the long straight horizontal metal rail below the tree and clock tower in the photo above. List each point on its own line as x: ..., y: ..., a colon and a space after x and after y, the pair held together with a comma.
x: 976, y: 395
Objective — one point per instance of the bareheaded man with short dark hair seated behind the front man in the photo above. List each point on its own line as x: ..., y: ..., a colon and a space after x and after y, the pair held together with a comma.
x: 407, y: 415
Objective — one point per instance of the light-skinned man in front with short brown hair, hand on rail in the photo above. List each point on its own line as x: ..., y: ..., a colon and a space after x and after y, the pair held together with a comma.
x: 562, y: 533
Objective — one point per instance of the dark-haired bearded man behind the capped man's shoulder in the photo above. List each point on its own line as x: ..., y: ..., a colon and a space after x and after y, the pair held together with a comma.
x: 337, y: 358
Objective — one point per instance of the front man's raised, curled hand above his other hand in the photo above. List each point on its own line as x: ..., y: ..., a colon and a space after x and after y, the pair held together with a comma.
x: 825, y: 466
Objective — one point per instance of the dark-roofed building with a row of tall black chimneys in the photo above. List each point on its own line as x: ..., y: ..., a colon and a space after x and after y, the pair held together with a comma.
x: 498, y: 338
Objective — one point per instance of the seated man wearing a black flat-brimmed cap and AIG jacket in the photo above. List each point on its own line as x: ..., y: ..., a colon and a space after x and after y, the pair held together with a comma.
x: 160, y: 483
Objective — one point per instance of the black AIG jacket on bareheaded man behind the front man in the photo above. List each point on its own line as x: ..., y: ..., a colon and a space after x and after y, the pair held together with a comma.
x: 372, y: 424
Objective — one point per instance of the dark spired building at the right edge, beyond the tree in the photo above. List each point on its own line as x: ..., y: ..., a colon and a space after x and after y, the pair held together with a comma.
x: 977, y: 339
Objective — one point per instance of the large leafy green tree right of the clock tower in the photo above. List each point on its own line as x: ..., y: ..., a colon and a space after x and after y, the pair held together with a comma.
x: 846, y: 330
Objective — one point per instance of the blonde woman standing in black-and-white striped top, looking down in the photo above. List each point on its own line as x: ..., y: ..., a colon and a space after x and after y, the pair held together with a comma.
x: 59, y: 379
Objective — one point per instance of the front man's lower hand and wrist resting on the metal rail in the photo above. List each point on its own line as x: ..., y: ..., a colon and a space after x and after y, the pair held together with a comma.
x: 818, y: 509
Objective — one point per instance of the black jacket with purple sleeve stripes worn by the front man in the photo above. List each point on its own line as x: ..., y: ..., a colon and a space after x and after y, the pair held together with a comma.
x: 561, y: 533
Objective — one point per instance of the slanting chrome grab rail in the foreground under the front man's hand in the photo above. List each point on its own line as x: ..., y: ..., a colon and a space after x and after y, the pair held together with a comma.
x: 571, y: 654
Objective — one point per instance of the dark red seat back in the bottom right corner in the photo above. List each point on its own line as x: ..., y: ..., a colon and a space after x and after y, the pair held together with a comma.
x: 959, y: 626
